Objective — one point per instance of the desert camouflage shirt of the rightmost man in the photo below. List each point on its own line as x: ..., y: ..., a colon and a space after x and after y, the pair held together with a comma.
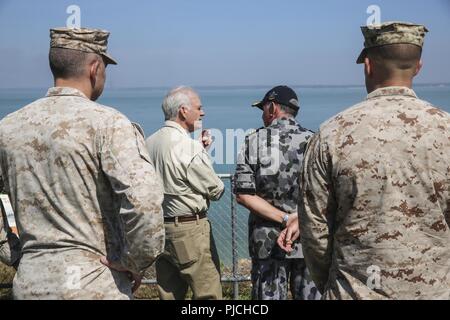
x: 375, y: 207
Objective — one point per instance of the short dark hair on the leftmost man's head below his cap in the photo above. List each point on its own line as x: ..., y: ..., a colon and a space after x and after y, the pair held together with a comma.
x: 68, y: 63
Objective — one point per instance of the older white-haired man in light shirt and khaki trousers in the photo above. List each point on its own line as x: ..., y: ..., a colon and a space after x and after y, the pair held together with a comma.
x: 190, y: 258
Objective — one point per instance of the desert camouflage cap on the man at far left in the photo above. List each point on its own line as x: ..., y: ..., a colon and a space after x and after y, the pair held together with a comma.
x: 83, y: 39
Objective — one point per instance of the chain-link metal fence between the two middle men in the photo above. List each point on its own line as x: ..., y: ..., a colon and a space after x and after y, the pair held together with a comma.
x: 231, y: 231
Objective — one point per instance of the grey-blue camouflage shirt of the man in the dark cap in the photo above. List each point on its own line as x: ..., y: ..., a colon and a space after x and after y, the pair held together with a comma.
x: 268, y: 166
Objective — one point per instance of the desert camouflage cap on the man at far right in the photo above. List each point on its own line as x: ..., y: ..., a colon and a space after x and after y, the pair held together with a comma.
x: 391, y: 33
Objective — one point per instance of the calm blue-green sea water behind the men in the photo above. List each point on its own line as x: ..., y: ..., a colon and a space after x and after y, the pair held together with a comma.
x: 227, y: 109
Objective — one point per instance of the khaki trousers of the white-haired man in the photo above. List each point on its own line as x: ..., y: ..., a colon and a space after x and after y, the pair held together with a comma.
x: 190, y: 260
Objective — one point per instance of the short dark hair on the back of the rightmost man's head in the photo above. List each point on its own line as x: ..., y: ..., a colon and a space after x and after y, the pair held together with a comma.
x: 395, y: 57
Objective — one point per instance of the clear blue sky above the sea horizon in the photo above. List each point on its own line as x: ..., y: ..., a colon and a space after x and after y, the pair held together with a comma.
x: 218, y: 43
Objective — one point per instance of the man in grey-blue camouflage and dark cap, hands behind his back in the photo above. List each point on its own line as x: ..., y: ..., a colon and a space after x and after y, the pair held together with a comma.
x: 266, y: 183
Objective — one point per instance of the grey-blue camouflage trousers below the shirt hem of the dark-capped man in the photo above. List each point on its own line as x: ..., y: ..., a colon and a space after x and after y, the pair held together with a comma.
x: 270, y: 278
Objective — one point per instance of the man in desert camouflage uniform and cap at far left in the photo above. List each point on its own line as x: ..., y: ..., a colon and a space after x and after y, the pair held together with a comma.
x: 86, y: 198
